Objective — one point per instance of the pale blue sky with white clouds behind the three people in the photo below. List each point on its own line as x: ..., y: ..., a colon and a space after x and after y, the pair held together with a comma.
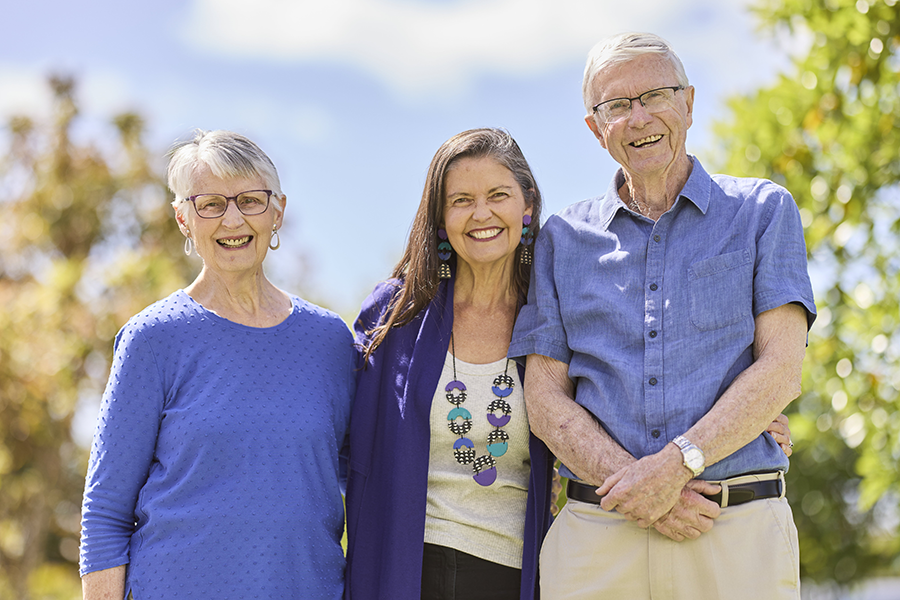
x: 351, y: 98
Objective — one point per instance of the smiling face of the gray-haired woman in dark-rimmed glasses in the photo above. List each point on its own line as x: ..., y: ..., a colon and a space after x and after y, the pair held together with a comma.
x: 234, y: 242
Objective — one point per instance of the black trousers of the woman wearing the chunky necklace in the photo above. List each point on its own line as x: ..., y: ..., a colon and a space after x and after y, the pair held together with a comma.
x: 449, y: 574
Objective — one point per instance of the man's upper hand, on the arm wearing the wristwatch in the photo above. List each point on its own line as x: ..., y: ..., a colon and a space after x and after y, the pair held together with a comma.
x: 646, y: 490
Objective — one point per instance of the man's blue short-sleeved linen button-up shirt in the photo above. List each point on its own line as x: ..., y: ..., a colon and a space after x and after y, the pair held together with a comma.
x: 656, y: 319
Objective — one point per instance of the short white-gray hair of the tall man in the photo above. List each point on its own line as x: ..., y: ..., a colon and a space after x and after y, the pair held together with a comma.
x: 622, y: 48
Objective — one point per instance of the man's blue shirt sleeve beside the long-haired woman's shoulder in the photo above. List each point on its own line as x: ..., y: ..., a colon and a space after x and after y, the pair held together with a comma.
x: 539, y: 327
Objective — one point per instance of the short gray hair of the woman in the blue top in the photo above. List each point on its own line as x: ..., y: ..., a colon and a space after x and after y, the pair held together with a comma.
x: 227, y: 154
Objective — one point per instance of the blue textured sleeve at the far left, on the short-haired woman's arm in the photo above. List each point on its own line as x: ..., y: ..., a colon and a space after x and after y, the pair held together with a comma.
x: 122, y: 452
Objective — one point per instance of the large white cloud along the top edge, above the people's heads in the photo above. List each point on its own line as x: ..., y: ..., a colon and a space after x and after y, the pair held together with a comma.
x: 417, y: 47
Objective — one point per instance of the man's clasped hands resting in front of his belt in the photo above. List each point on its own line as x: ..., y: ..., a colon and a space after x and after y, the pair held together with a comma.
x: 658, y: 491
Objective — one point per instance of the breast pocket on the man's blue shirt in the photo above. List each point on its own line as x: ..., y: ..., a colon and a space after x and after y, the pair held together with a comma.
x: 721, y: 290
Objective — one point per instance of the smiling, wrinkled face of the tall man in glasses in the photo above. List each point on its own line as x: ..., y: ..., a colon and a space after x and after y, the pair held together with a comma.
x: 646, y: 145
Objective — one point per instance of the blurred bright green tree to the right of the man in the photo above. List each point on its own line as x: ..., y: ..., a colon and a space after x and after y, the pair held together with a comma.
x: 829, y: 131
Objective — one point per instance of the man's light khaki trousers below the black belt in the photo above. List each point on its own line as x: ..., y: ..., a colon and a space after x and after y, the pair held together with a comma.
x: 751, y: 552
